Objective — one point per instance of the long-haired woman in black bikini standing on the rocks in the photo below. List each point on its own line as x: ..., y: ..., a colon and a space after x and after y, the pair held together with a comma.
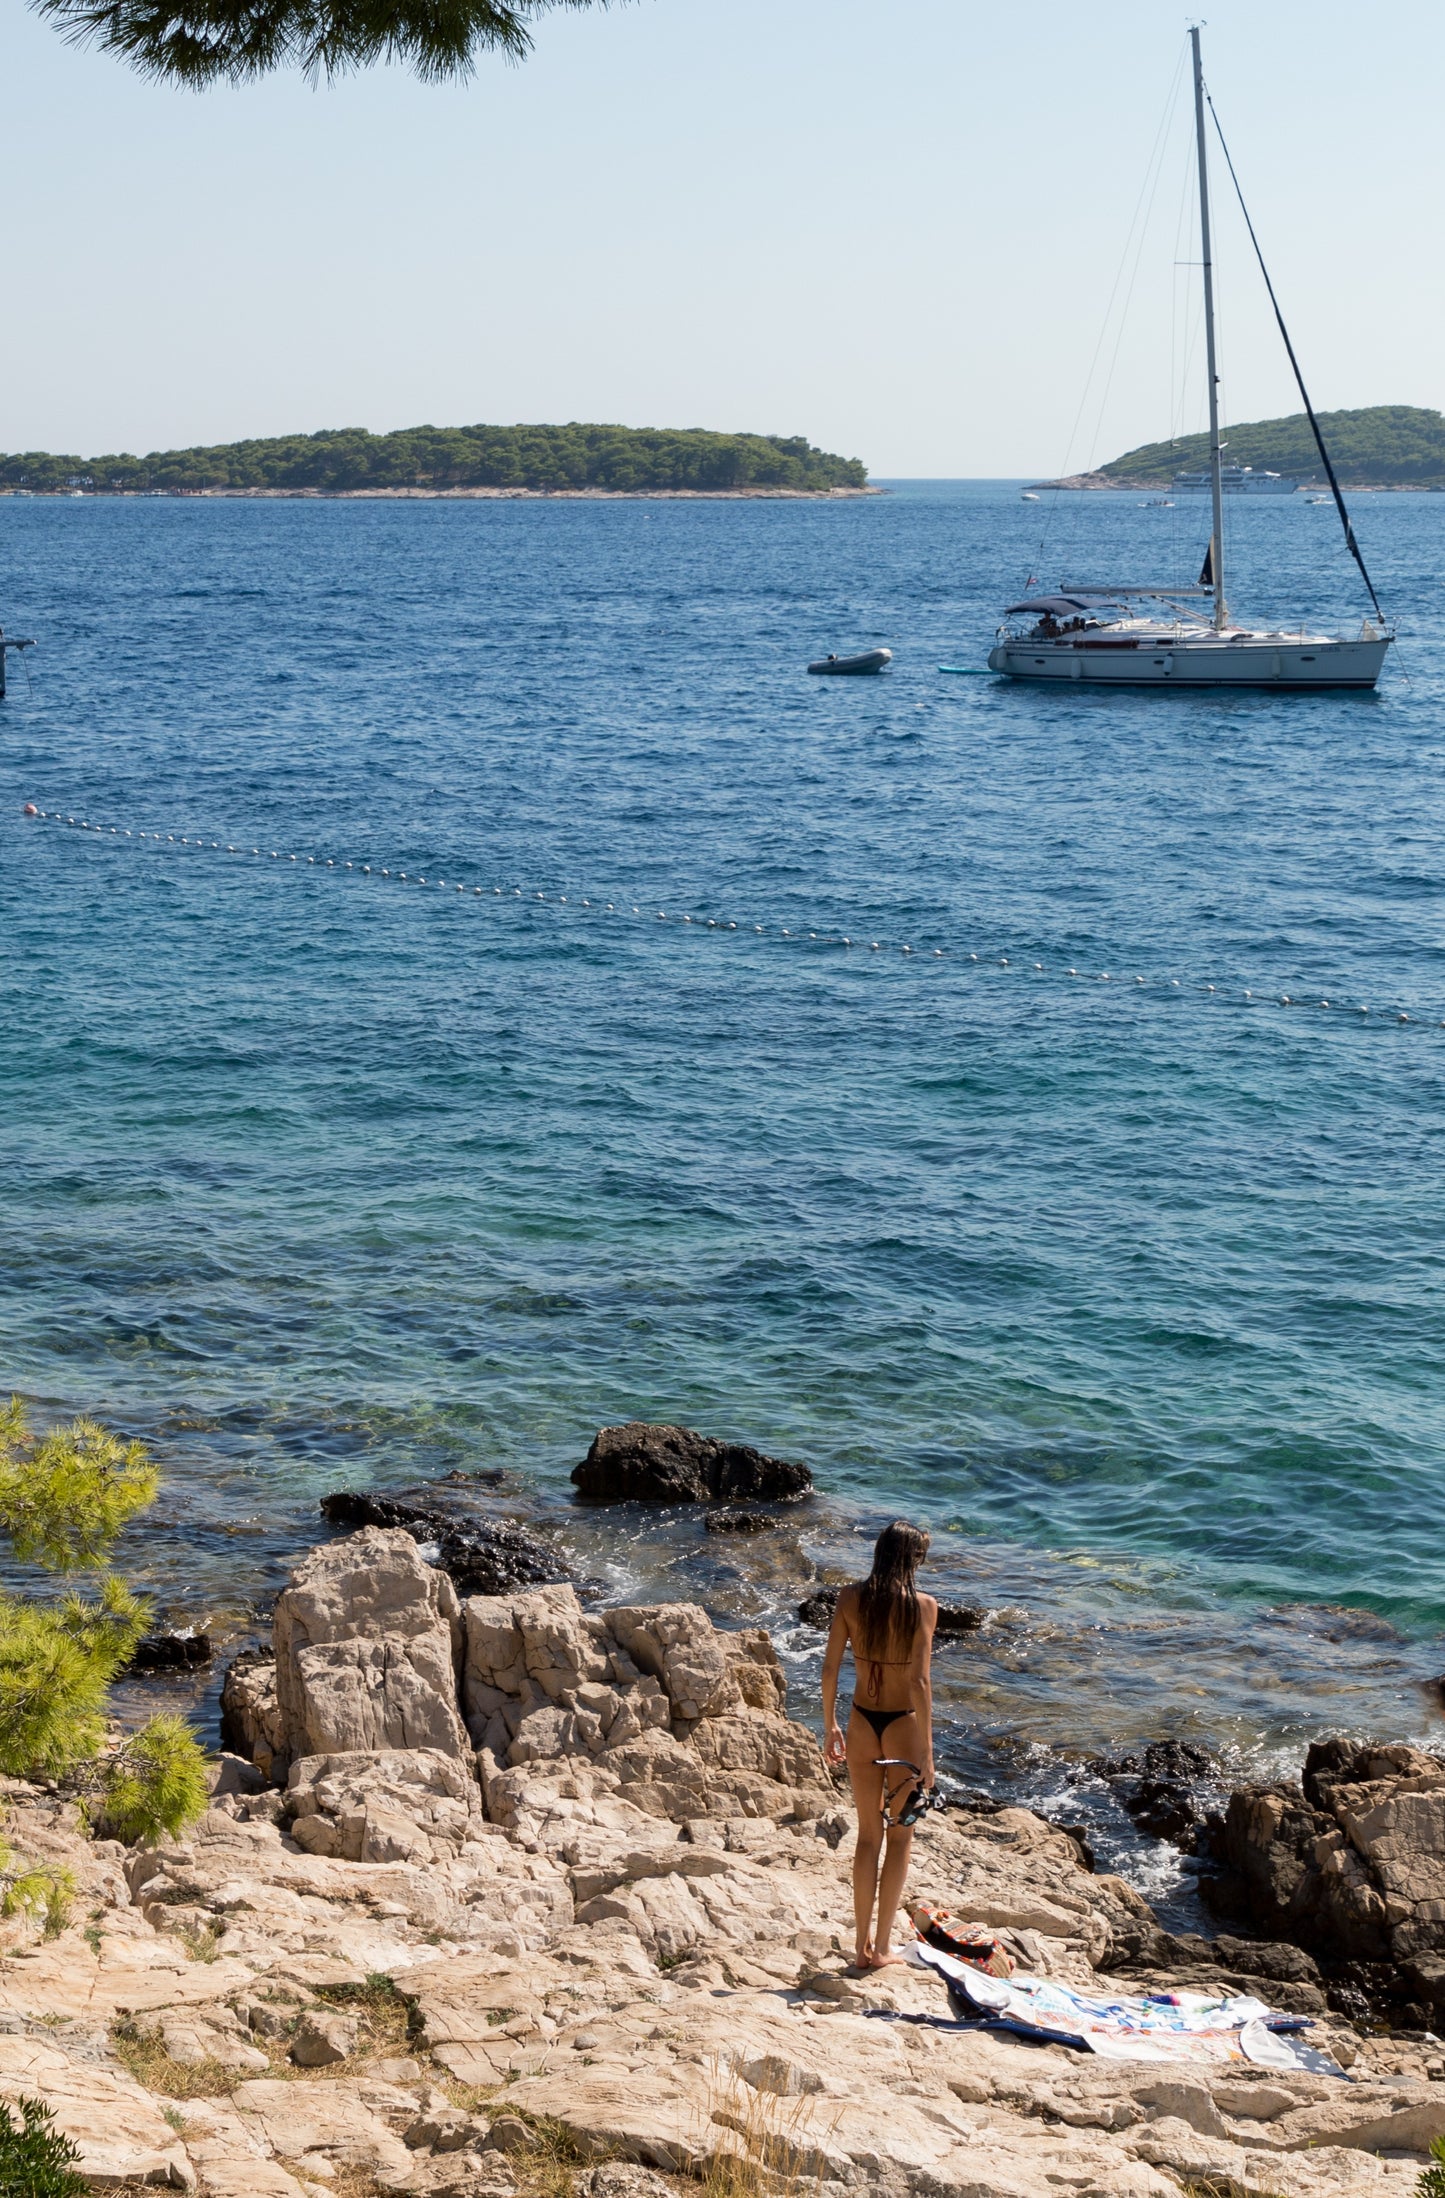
x: 890, y: 1630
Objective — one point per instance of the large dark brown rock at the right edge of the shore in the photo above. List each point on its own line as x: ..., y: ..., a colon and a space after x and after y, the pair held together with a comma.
x: 1352, y: 1867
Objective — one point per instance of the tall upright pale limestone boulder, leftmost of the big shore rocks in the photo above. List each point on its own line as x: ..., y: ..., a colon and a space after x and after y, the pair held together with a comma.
x: 368, y: 1647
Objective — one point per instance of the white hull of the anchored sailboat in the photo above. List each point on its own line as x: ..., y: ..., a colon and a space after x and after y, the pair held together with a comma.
x: 1198, y: 663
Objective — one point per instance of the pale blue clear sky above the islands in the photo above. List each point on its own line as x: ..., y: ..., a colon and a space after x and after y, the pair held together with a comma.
x: 894, y: 232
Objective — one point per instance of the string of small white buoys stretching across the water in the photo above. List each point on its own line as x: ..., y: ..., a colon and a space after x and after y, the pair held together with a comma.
x: 1257, y: 997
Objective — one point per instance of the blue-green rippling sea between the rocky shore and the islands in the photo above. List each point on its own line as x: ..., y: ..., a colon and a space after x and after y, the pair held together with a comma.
x: 470, y: 986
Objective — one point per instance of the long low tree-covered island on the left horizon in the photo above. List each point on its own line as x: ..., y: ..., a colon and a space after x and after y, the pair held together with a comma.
x: 437, y: 458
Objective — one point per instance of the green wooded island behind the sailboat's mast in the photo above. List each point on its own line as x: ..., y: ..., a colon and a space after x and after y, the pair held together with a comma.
x: 1387, y: 445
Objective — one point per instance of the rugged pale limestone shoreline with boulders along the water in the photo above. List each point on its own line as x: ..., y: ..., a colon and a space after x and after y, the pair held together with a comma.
x: 516, y: 1894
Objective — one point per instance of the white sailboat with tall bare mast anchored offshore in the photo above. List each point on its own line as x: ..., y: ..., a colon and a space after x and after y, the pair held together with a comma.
x: 1184, y: 636
